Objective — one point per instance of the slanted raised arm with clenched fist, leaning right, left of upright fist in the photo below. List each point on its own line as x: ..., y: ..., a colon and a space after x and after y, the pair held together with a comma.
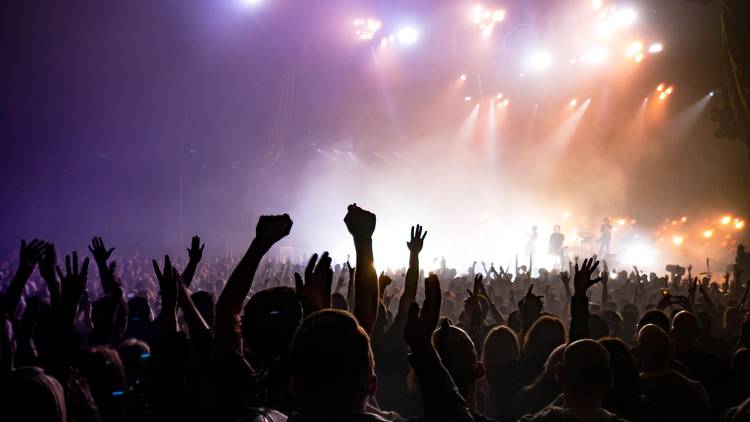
x: 270, y: 229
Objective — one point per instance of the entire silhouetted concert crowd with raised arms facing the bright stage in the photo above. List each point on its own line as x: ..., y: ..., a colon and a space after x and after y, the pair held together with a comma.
x: 256, y: 338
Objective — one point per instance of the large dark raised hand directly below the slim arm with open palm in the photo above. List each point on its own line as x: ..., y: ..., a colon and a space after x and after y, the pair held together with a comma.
x: 420, y: 324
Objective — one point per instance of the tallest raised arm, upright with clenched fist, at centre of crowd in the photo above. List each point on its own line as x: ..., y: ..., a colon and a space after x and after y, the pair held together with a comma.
x: 361, y: 225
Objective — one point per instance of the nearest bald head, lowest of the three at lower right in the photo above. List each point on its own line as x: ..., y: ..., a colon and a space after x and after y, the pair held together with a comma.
x: 585, y: 371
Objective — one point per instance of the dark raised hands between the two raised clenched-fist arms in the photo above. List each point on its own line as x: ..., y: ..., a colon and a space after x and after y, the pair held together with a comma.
x: 315, y: 291
